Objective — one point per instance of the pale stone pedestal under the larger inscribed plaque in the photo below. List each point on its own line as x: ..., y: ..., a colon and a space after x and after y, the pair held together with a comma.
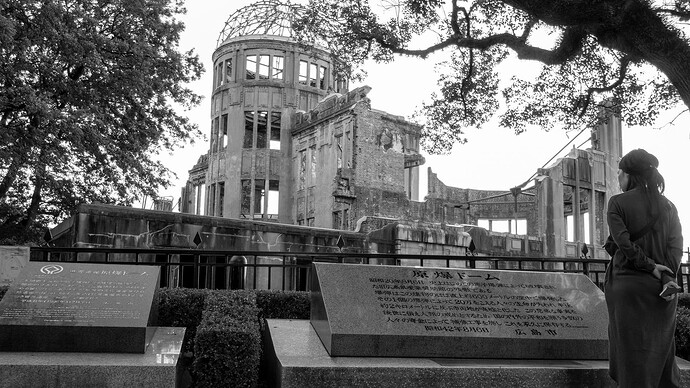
x: 297, y: 358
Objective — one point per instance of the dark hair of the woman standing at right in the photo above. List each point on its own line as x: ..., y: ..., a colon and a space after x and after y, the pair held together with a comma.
x: 641, y: 166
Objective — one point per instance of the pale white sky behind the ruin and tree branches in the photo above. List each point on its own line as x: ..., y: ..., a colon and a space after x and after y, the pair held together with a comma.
x: 494, y: 158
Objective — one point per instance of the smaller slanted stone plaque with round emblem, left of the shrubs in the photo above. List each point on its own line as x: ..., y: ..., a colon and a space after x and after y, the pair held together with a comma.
x: 76, y: 307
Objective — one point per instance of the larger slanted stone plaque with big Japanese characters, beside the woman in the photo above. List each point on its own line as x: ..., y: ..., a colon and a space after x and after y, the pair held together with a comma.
x: 391, y: 311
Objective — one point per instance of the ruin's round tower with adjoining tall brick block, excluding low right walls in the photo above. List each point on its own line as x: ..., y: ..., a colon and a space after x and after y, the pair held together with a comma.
x: 289, y: 143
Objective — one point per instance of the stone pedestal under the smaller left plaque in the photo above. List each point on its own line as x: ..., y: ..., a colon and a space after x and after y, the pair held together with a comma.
x: 156, y: 368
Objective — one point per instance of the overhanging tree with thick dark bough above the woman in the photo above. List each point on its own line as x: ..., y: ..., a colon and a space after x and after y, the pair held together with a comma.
x: 627, y: 55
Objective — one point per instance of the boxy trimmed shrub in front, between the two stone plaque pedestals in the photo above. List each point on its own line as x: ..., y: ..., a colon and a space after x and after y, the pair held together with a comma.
x: 227, y: 346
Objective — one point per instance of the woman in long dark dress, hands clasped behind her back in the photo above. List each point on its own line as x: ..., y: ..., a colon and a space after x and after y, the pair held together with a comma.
x: 641, y: 322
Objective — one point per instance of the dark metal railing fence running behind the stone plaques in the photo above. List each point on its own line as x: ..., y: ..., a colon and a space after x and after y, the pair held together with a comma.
x: 216, y: 269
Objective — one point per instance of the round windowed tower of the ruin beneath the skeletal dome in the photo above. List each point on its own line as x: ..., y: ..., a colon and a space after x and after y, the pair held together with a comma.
x: 258, y: 85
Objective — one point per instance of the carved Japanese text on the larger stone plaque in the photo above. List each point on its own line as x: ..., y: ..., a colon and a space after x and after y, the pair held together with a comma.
x: 438, y: 300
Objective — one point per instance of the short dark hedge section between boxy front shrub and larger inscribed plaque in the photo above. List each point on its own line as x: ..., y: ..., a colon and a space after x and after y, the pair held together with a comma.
x: 283, y: 304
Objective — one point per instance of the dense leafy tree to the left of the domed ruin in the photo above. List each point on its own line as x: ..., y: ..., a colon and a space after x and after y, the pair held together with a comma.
x: 88, y: 96
